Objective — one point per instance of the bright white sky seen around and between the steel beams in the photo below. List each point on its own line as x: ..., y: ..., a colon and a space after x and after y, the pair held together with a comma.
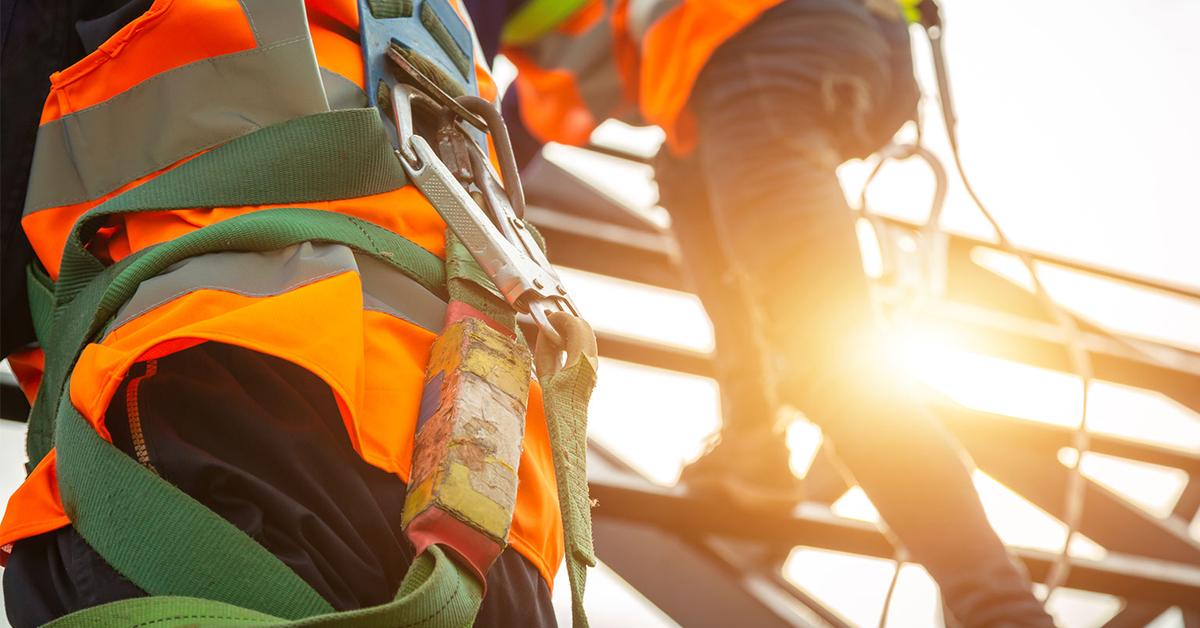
x: 1078, y: 125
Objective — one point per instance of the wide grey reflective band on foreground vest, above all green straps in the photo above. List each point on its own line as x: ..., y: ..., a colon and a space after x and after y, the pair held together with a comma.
x: 91, y: 153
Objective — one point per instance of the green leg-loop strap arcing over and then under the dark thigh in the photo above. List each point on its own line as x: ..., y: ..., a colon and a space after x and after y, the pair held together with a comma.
x: 153, y: 534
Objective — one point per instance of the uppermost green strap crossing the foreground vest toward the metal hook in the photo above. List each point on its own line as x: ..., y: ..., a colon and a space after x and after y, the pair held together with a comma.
x: 319, y: 158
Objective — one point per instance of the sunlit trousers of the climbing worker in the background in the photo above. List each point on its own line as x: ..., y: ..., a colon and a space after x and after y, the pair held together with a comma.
x: 771, y: 247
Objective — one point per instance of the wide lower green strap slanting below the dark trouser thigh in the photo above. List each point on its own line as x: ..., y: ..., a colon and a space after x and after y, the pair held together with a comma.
x: 163, y: 540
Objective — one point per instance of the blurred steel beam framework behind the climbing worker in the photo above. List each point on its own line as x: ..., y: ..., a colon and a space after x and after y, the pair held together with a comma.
x: 725, y: 566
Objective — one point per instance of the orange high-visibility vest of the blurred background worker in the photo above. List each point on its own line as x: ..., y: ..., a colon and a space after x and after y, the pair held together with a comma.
x: 635, y: 61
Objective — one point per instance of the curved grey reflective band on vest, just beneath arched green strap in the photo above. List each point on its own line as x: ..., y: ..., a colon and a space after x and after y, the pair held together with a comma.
x: 267, y: 274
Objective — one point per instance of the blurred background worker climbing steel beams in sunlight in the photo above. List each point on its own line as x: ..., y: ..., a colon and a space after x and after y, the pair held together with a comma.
x: 761, y: 101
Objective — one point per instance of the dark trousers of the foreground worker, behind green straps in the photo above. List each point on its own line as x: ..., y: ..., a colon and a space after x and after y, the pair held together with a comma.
x: 261, y: 442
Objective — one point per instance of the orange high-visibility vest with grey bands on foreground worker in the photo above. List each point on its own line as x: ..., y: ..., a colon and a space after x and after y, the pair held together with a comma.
x: 181, y: 80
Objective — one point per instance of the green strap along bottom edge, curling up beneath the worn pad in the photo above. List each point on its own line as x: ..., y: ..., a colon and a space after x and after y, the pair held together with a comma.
x: 435, y: 594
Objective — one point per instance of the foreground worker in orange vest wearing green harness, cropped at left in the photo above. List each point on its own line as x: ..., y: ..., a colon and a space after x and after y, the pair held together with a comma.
x: 236, y: 286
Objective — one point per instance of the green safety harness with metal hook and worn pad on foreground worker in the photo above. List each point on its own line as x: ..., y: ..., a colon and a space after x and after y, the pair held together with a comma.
x: 200, y: 570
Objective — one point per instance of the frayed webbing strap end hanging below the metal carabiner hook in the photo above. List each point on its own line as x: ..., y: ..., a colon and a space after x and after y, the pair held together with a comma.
x: 567, y: 394
